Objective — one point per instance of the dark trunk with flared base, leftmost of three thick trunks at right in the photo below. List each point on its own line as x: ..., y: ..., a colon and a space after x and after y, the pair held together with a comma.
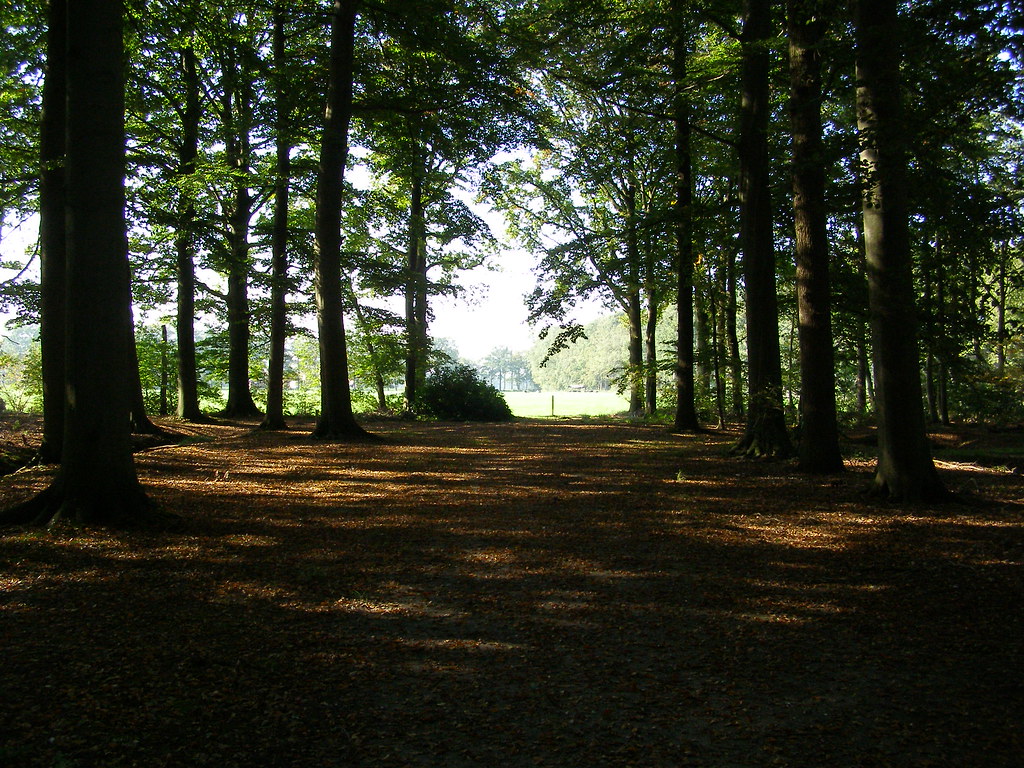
x: 765, y: 434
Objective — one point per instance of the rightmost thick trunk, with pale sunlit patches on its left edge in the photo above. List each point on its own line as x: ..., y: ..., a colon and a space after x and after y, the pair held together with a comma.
x: 906, y: 472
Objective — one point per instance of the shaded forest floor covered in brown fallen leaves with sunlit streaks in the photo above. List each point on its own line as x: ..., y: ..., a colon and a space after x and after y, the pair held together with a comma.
x: 543, y: 593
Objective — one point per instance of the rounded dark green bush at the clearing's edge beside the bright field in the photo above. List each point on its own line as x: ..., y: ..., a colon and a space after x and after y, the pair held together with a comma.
x: 455, y: 392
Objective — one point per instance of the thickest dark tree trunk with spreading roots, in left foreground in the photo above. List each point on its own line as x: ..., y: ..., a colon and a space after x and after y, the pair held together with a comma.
x: 97, y: 483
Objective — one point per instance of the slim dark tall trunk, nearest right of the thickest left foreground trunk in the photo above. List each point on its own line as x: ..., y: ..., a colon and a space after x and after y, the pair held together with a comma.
x: 188, y: 408
